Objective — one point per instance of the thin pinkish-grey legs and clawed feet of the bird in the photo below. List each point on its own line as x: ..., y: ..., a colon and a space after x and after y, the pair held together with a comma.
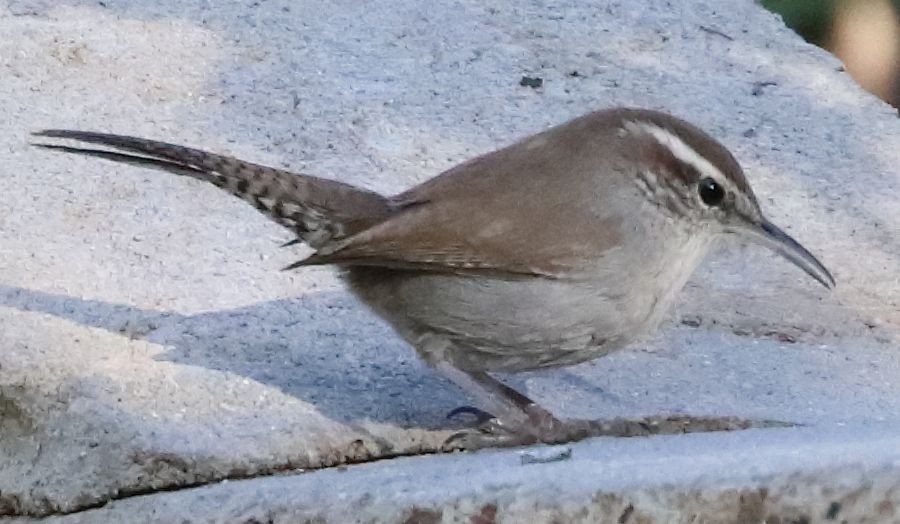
x: 516, y: 418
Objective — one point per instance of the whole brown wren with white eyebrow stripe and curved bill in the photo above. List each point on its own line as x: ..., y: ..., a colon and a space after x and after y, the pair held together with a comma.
x: 555, y: 250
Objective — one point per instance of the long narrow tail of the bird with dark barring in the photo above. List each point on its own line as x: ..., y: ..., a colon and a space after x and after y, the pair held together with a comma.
x: 317, y: 210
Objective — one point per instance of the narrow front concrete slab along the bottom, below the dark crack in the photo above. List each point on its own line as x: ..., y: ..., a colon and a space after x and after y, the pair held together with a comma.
x: 797, y: 475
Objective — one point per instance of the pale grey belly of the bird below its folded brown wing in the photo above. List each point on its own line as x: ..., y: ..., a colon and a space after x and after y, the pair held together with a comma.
x: 502, y: 325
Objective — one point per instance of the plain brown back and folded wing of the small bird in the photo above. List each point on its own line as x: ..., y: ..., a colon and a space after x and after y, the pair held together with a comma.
x: 528, y: 210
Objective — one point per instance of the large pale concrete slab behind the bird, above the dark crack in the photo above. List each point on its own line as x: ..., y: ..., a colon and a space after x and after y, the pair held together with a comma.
x: 148, y: 341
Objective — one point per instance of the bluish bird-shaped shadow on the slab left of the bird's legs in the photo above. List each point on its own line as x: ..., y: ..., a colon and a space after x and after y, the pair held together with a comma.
x: 322, y: 348
